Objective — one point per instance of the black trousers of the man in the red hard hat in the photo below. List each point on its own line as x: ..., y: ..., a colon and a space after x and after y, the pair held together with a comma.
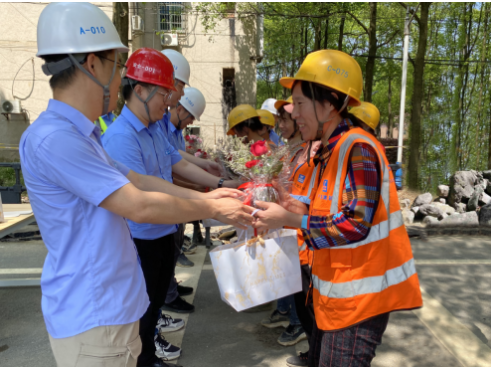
x: 157, y: 259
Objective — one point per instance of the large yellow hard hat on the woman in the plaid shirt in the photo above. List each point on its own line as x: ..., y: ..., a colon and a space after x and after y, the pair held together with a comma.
x: 333, y: 69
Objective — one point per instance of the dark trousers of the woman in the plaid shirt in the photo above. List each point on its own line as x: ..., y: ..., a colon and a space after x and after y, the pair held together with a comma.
x: 353, y: 347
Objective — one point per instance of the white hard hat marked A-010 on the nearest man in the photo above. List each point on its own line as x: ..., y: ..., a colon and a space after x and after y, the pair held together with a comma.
x: 75, y: 28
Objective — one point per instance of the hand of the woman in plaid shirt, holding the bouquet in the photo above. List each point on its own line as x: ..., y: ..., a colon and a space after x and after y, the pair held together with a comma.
x: 274, y: 216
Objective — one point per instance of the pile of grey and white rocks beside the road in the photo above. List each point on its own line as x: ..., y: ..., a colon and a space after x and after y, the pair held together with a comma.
x: 465, y: 202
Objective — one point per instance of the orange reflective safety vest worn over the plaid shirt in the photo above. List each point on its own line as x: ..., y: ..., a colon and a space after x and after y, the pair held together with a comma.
x: 355, y: 282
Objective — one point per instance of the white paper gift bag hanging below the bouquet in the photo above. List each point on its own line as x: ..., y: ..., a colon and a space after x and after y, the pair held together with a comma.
x: 250, y: 275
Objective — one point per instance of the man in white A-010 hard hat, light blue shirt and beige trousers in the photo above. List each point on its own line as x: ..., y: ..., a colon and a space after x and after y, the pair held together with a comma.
x: 93, y: 289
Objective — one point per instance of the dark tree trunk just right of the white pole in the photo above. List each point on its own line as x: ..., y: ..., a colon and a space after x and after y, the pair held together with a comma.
x: 417, y: 99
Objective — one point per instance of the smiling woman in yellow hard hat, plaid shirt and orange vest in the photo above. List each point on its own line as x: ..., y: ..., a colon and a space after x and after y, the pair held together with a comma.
x: 363, y: 267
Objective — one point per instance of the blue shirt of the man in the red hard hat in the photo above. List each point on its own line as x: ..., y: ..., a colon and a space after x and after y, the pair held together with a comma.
x: 145, y: 151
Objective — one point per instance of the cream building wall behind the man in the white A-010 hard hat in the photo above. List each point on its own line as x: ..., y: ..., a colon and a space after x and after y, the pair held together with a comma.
x: 18, y: 46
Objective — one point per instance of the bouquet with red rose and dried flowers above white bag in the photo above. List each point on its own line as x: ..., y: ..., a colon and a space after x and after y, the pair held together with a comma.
x: 256, y: 165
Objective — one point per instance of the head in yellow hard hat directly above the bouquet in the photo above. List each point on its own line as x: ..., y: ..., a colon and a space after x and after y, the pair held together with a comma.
x: 245, y: 121
